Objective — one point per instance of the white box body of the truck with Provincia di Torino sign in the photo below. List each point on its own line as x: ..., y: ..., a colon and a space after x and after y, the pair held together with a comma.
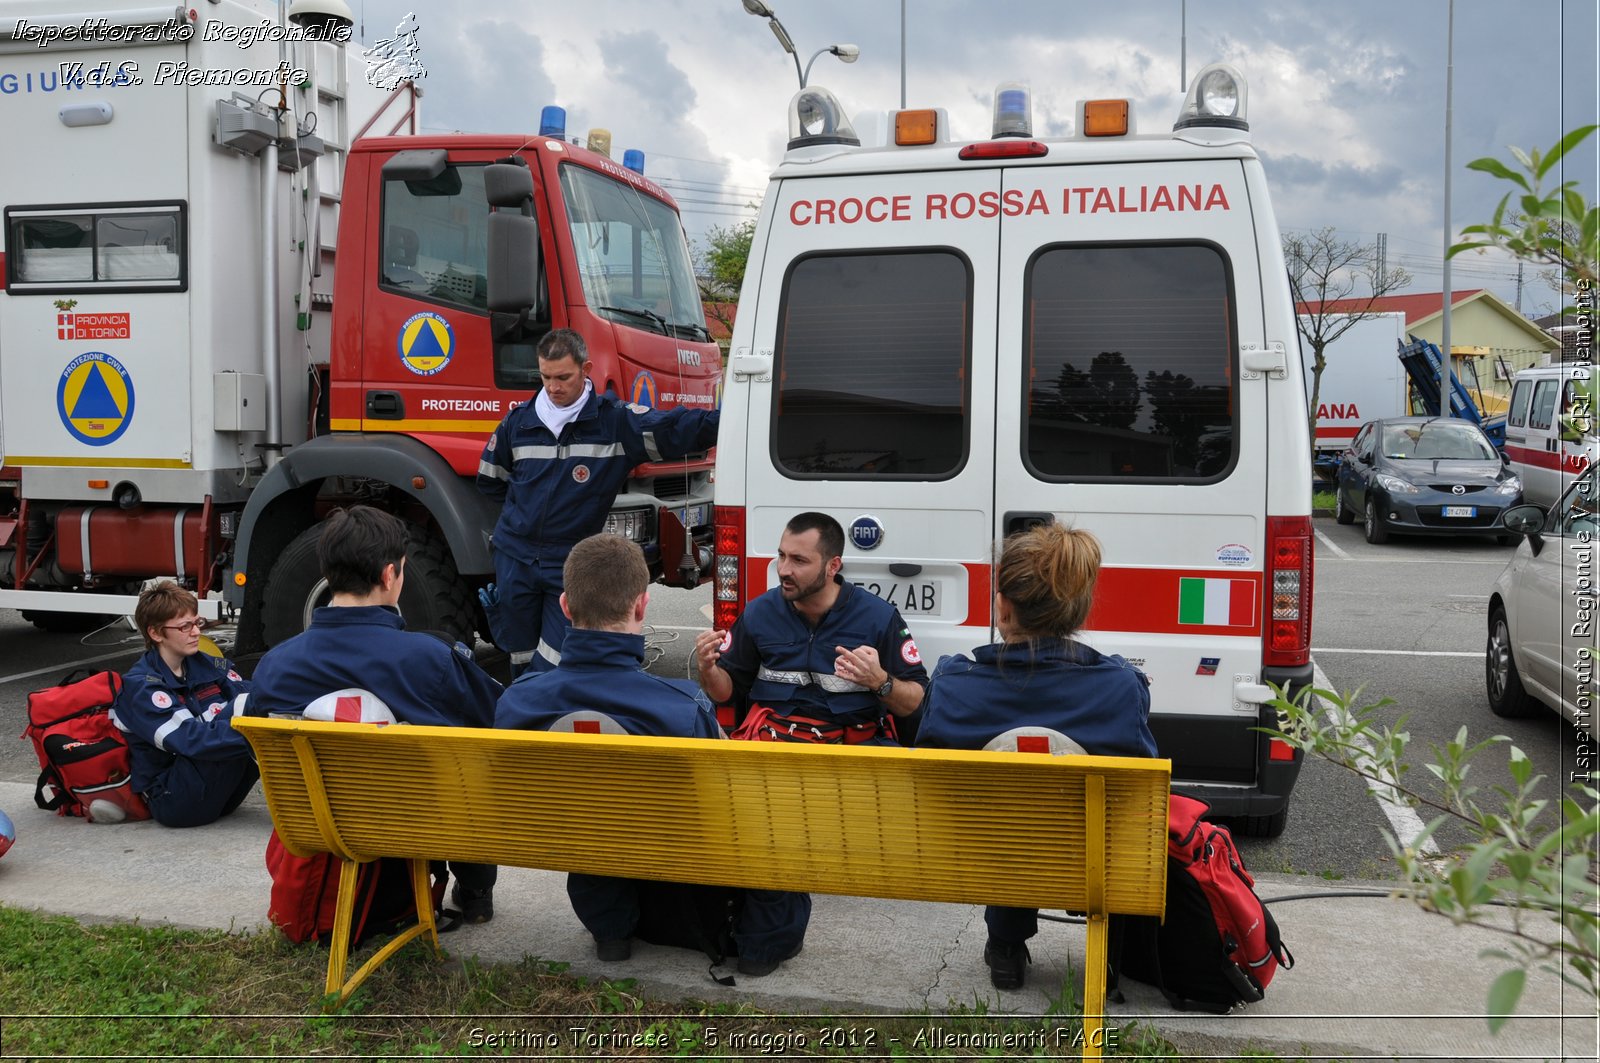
x: 170, y: 214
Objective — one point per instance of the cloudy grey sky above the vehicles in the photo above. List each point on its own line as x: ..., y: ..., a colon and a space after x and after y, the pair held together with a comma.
x: 1346, y: 98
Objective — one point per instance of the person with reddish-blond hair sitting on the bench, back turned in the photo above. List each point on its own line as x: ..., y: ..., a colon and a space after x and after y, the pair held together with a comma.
x: 1038, y: 676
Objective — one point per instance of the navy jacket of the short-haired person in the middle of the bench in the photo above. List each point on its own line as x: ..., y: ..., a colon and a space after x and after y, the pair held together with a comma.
x: 604, y: 672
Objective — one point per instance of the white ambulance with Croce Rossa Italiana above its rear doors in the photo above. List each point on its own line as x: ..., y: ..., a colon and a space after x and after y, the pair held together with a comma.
x: 942, y: 342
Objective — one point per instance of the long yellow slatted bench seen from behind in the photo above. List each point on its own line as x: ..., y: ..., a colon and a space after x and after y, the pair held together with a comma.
x: 986, y: 828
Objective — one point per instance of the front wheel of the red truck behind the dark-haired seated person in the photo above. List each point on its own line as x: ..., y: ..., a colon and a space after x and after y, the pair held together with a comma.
x: 433, y: 596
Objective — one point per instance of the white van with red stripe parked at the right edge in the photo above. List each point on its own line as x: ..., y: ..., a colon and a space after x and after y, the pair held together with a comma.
x: 1548, y: 449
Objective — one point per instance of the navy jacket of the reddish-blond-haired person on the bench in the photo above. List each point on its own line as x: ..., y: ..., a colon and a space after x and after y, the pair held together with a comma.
x: 1100, y: 702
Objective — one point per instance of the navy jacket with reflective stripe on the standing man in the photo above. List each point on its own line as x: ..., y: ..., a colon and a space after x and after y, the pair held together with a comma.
x: 558, y: 491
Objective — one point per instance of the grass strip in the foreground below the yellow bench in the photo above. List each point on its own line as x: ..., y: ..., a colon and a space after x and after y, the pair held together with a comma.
x: 156, y: 993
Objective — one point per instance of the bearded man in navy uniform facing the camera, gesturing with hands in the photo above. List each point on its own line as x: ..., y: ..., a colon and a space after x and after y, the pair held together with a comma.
x: 818, y: 660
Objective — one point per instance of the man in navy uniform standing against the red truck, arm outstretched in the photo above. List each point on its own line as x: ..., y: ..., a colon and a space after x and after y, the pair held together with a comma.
x: 559, y: 463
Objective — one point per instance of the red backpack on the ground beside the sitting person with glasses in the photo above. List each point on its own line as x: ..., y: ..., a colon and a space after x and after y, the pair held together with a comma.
x: 82, y: 753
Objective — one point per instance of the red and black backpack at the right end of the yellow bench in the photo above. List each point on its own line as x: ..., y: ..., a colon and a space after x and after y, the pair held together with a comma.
x: 1218, y: 945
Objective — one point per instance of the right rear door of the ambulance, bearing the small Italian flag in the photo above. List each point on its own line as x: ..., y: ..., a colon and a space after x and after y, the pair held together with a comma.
x: 1126, y: 303
